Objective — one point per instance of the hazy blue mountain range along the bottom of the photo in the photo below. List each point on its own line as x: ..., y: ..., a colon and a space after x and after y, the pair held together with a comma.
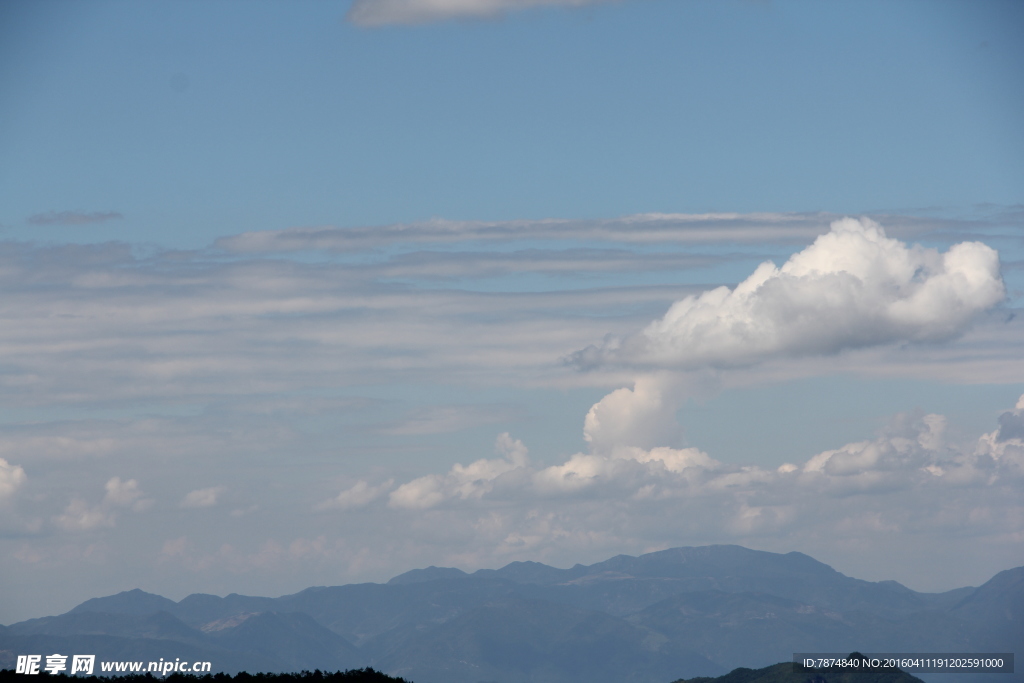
x: 676, y: 614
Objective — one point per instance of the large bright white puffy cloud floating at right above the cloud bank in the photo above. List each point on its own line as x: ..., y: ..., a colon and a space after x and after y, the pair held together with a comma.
x: 852, y: 288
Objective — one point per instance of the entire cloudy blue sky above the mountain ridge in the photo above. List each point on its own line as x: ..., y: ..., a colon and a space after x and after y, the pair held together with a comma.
x: 316, y: 293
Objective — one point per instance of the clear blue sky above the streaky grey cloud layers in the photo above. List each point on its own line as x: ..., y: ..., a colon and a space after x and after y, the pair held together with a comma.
x: 195, y: 120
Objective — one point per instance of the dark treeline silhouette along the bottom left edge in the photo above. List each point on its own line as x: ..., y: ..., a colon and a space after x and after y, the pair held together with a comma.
x: 367, y: 675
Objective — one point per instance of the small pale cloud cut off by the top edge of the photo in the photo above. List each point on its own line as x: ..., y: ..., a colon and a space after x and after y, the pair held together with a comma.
x: 381, y: 13
